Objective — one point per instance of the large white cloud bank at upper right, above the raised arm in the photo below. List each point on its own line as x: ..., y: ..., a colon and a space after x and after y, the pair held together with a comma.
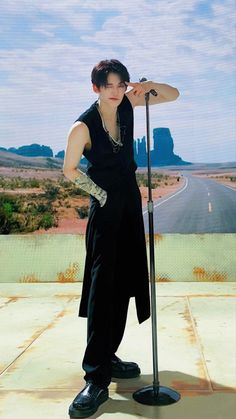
x: 167, y: 35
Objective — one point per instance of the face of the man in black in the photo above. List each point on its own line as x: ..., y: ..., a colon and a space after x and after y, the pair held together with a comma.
x: 114, y: 90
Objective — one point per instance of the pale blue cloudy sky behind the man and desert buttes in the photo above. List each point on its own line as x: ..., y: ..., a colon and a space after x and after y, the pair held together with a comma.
x: 48, y: 50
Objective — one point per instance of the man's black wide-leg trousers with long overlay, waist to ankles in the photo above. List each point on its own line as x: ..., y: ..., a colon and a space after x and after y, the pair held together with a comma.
x: 113, y: 234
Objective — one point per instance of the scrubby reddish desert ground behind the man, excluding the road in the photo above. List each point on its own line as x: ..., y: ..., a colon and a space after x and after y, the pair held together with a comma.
x: 39, y: 200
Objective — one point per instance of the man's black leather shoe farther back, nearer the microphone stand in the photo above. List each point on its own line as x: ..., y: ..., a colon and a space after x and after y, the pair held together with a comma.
x: 122, y: 369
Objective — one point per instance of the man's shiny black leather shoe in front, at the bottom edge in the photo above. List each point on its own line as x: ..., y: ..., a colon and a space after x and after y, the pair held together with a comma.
x: 87, y: 401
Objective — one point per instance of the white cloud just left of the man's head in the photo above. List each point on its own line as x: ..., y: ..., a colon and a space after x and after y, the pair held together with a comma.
x: 63, y: 60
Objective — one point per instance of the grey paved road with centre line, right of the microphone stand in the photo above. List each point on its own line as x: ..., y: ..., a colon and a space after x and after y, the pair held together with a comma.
x: 200, y: 206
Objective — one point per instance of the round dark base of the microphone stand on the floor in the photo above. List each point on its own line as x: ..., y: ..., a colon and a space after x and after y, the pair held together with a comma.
x: 156, y: 396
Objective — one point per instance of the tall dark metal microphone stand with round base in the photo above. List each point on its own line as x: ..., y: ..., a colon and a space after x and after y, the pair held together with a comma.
x: 153, y: 395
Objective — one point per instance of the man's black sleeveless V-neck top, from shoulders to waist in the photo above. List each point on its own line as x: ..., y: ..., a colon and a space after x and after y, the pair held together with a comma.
x: 107, y: 168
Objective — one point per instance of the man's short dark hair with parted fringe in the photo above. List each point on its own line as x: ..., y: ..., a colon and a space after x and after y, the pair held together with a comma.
x: 103, y: 68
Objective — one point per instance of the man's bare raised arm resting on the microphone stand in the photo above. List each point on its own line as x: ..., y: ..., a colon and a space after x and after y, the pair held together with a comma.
x: 165, y: 93
